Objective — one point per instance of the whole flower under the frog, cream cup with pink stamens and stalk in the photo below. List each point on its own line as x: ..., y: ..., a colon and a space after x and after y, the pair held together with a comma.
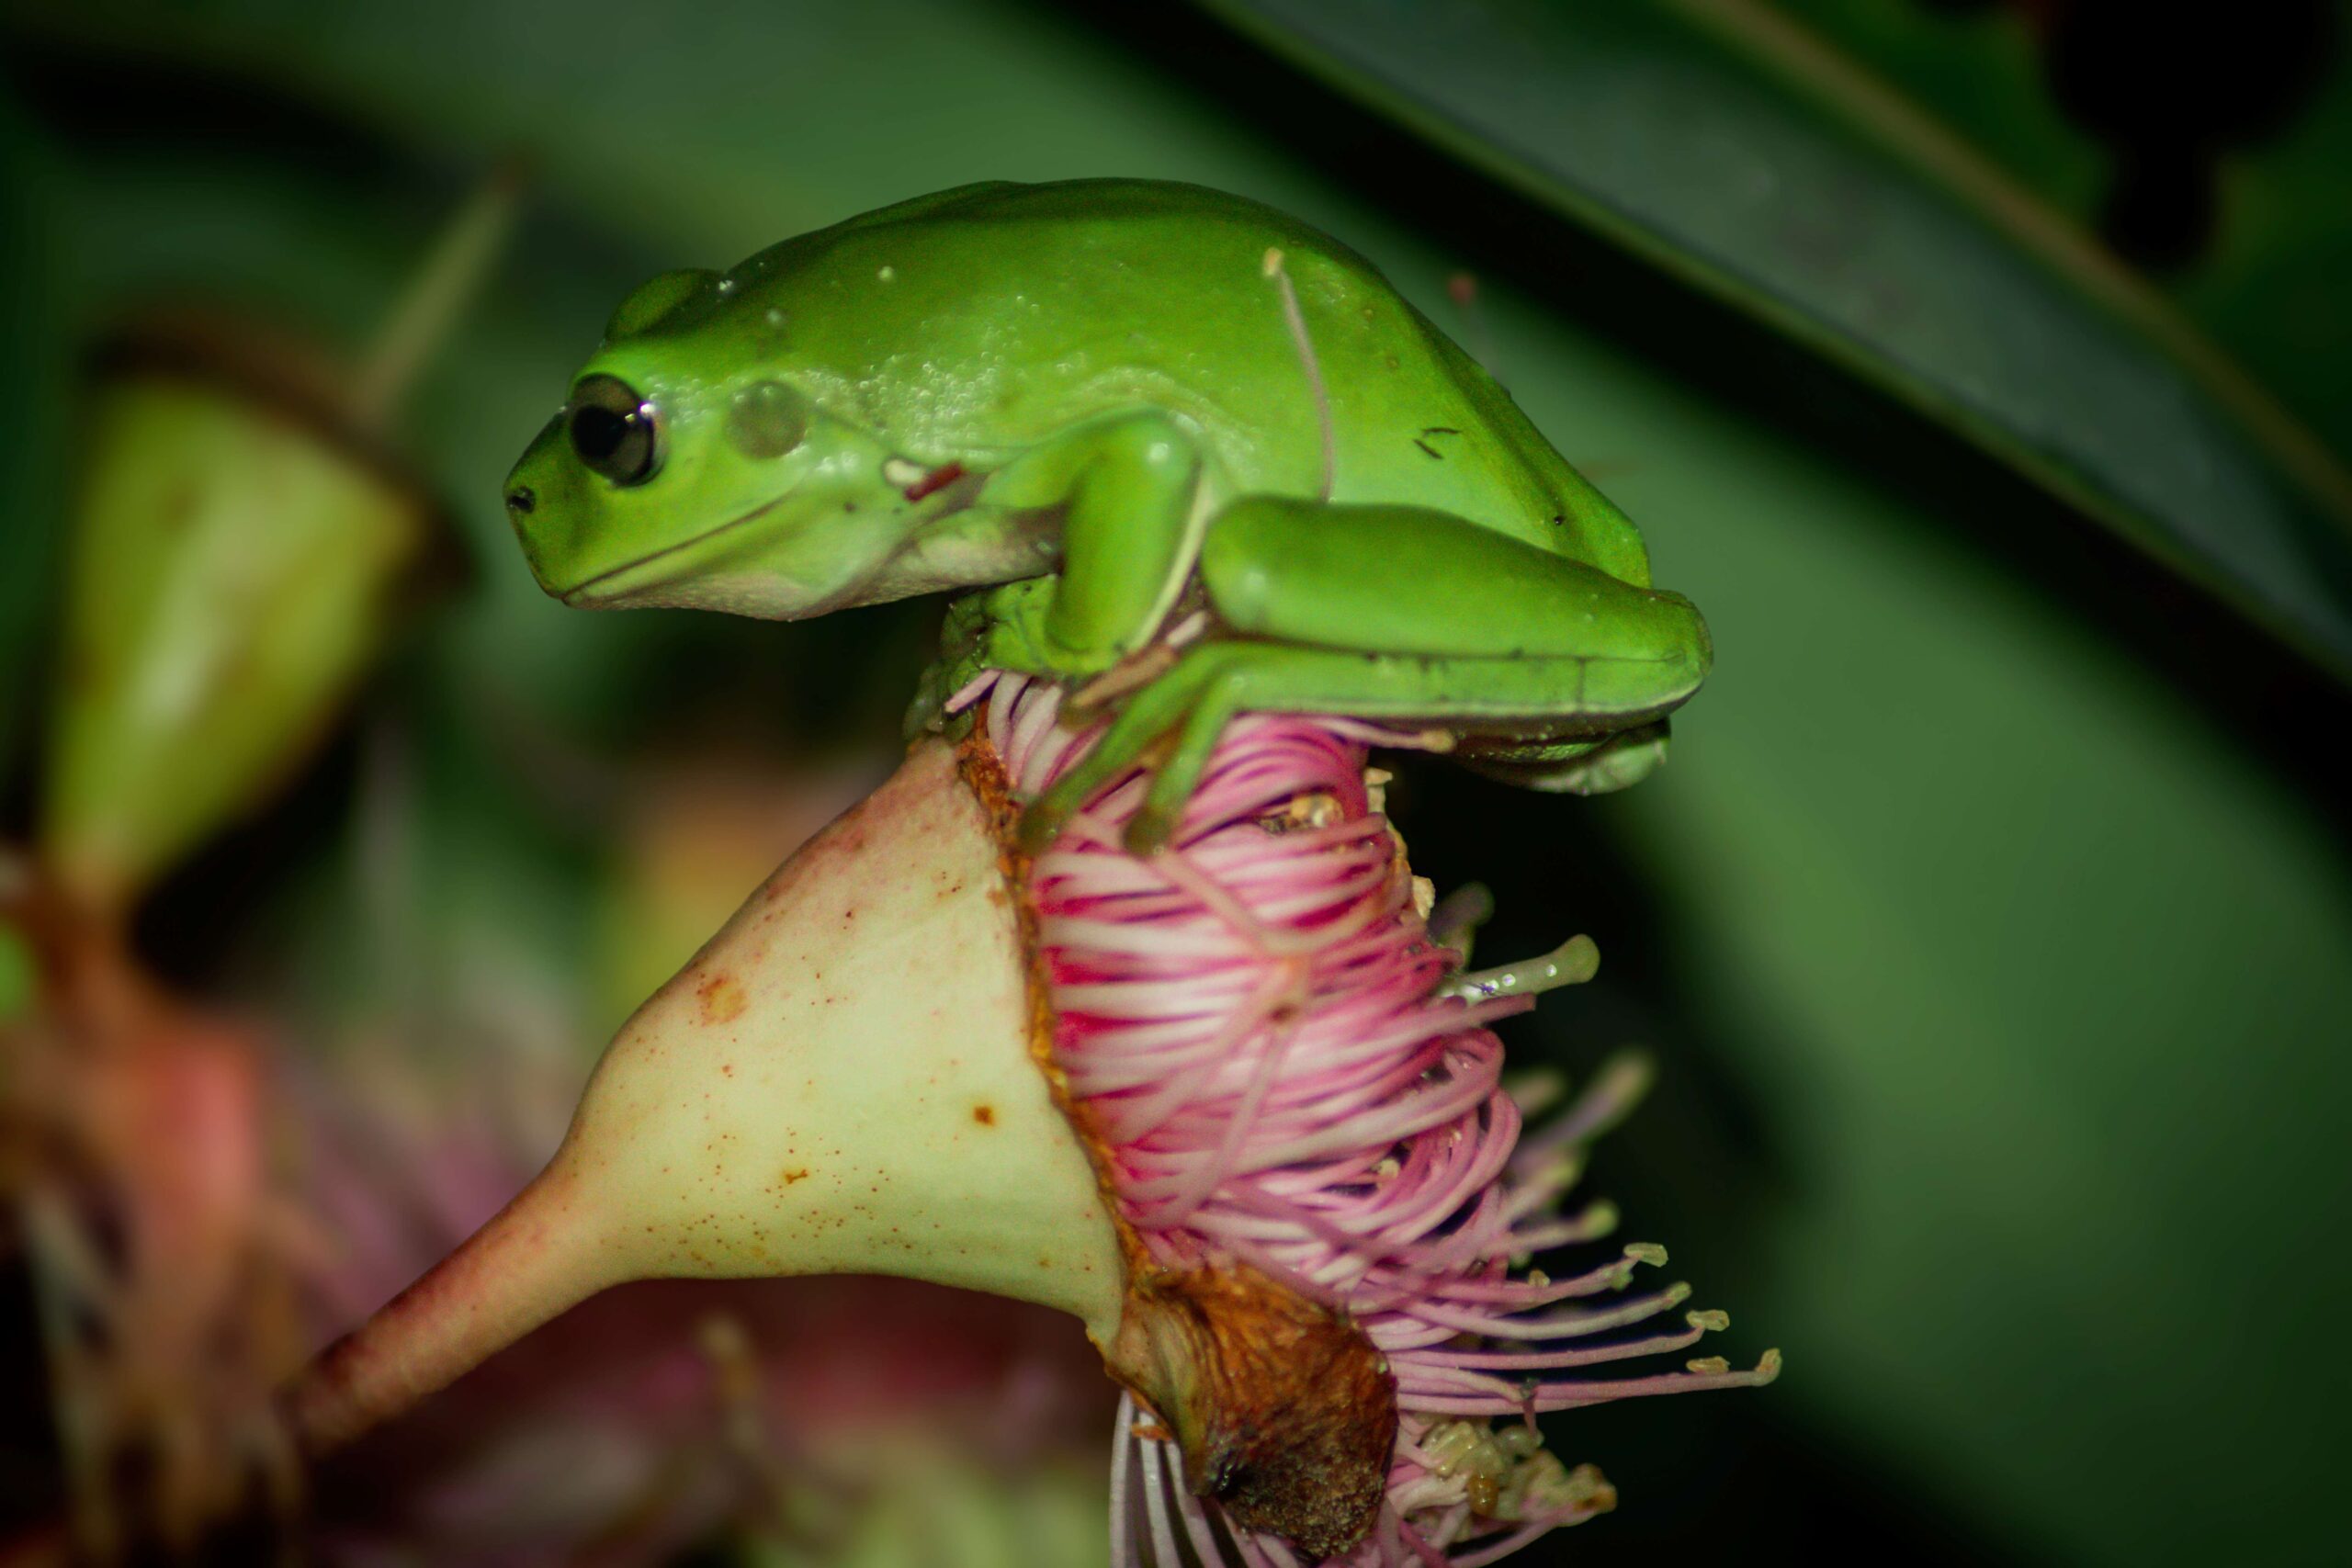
x: 1231, y: 1106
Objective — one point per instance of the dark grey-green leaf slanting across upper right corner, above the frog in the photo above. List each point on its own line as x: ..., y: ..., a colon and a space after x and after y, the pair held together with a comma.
x: 1739, y: 152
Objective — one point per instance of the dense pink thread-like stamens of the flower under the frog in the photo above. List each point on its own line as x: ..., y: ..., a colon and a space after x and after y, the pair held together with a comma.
x: 1283, y: 1068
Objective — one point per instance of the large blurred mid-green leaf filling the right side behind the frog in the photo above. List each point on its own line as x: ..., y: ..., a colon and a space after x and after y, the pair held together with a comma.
x: 2031, y: 974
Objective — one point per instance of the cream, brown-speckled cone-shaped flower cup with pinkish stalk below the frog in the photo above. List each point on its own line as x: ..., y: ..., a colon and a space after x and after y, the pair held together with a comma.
x: 846, y: 1080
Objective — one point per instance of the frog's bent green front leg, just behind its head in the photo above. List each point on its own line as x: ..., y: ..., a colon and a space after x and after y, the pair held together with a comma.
x: 1128, y: 492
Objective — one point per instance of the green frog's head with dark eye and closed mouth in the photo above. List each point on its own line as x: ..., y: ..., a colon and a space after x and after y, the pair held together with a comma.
x: 688, y: 469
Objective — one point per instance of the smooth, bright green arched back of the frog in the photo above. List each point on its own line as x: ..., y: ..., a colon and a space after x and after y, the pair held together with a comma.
x: 989, y: 319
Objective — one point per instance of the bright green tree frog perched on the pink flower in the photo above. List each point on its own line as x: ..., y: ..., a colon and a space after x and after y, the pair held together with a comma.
x: 1116, y: 408
